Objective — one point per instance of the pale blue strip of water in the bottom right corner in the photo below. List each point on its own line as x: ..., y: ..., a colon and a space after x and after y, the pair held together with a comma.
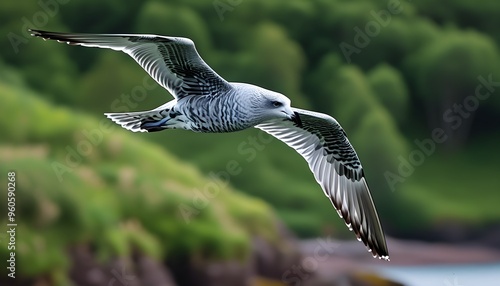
x: 444, y: 275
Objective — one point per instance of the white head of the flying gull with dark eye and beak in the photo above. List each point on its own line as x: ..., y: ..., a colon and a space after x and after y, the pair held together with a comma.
x: 272, y: 105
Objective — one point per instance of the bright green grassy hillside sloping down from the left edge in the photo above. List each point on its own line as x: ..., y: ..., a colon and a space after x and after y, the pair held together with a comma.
x: 115, y: 191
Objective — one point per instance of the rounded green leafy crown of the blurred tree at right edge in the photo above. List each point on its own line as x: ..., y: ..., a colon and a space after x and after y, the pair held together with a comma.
x: 453, y: 62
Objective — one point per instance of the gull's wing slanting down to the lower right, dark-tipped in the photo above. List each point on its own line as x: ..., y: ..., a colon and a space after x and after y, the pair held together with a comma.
x: 336, y: 167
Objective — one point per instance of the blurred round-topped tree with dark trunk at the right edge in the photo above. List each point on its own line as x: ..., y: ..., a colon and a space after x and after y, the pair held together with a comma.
x: 446, y: 74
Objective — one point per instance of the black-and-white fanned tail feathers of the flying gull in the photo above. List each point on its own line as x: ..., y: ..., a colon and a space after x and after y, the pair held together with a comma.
x: 142, y: 121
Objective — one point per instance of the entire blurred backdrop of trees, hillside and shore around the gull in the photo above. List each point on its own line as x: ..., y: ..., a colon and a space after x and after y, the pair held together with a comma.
x: 414, y: 84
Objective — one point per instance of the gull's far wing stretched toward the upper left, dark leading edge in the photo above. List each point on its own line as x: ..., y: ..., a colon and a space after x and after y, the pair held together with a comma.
x: 173, y: 62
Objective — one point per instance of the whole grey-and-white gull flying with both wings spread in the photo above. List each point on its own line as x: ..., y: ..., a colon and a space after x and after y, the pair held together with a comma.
x: 205, y: 102
